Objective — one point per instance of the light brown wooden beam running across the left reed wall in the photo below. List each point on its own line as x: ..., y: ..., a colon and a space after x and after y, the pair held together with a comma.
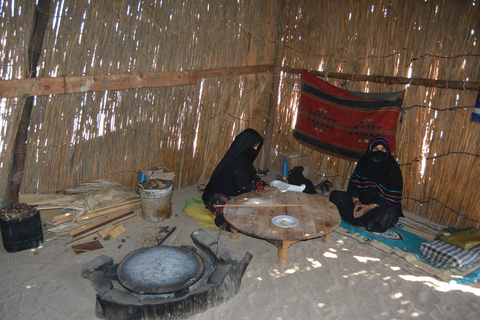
x: 78, y: 84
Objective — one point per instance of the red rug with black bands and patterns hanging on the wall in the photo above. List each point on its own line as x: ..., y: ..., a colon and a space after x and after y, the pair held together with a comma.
x: 341, y: 123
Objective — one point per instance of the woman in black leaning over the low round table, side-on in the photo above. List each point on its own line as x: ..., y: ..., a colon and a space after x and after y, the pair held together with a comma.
x: 235, y: 174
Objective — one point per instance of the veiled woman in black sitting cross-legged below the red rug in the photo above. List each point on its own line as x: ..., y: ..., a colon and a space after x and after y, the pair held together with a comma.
x: 373, y: 196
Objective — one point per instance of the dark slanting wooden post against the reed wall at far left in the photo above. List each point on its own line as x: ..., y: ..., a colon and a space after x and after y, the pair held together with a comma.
x: 34, y: 51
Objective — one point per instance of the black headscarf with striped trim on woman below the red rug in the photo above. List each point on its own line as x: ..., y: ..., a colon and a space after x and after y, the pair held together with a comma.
x: 377, y: 177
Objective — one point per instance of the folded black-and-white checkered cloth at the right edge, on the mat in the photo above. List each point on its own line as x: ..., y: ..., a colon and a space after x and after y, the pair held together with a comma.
x: 445, y: 255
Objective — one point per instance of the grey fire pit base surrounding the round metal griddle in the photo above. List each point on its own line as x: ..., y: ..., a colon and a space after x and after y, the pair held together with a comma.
x: 220, y: 282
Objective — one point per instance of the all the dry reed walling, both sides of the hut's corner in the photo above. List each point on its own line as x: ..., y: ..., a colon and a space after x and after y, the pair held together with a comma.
x: 78, y: 138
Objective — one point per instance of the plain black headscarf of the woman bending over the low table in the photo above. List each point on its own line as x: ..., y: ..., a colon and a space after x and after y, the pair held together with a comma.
x: 241, y: 153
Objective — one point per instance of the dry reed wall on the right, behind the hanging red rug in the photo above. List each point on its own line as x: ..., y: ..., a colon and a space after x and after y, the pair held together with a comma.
x: 438, y: 147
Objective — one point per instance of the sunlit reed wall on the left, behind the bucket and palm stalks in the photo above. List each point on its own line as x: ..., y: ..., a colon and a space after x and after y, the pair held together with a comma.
x: 111, y: 135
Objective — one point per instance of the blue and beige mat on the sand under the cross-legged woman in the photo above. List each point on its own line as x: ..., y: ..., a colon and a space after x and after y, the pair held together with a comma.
x: 404, y: 241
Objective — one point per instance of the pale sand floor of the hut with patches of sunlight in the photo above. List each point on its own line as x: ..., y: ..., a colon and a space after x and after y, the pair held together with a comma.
x: 339, y: 280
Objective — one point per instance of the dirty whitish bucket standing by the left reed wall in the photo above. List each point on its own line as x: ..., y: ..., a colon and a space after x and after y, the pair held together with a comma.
x: 157, y: 203
